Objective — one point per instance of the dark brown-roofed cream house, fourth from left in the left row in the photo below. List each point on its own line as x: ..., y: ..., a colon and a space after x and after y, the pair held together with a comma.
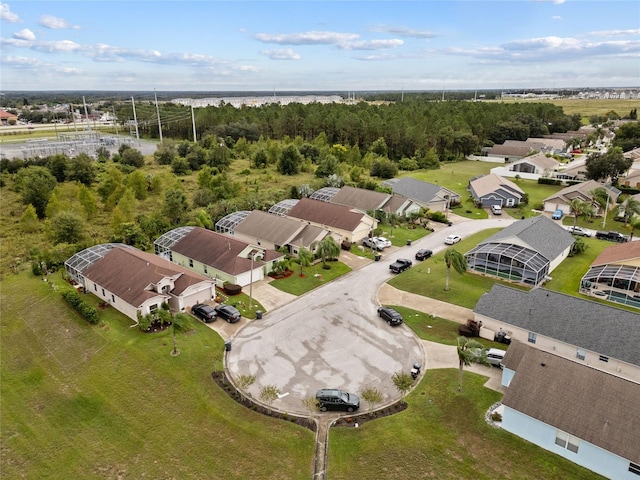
x: 343, y: 223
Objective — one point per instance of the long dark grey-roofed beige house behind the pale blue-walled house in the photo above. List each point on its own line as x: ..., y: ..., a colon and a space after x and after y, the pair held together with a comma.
x: 597, y: 335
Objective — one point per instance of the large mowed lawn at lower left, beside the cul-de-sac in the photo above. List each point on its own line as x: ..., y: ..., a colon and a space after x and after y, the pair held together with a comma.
x: 108, y: 401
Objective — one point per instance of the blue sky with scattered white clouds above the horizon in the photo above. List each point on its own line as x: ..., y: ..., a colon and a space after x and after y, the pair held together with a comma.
x: 302, y: 45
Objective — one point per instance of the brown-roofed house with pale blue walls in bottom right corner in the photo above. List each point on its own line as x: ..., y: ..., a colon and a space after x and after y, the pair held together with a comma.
x: 586, y: 415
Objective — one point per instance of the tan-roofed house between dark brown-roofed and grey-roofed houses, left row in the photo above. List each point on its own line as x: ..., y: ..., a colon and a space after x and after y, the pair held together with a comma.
x: 370, y: 201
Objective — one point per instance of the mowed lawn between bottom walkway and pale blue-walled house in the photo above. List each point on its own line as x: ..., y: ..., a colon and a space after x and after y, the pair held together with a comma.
x: 442, y: 435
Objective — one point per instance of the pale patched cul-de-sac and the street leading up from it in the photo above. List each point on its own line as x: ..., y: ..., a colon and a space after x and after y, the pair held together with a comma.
x: 333, y: 338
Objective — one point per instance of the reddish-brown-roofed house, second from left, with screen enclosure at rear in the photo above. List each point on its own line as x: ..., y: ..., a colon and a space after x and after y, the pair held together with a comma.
x: 216, y: 256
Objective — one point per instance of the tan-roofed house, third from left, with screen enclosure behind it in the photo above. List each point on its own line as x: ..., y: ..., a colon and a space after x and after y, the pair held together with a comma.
x: 271, y: 231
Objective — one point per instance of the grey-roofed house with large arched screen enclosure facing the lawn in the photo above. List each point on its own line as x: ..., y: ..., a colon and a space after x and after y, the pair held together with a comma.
x: 526, y: 251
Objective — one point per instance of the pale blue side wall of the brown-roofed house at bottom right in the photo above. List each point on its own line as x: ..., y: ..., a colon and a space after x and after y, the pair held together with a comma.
x: 589, y: 456
